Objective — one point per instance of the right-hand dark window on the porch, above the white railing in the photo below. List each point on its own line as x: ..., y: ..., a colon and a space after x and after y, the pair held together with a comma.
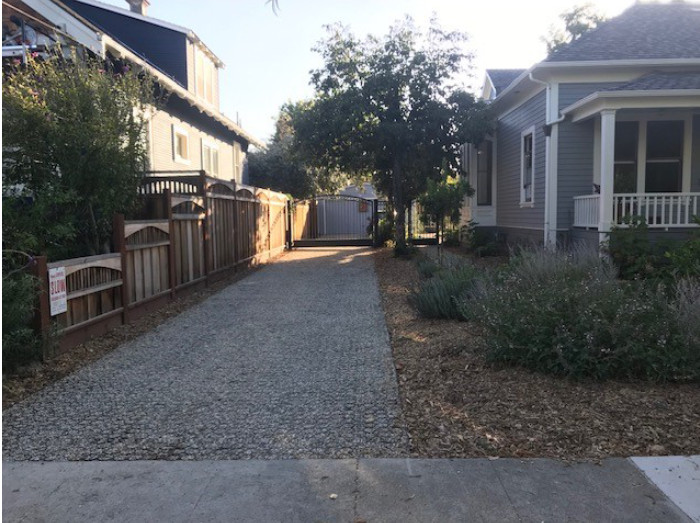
x: 664, y: 171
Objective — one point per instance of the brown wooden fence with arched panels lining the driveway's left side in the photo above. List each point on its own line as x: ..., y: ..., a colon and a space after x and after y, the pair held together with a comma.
x: 193, y: 230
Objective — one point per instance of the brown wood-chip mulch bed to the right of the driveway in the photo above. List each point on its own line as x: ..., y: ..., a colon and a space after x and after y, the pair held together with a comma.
x: 457, y: 405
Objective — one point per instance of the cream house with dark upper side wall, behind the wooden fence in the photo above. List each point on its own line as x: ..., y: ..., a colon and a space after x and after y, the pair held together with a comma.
x: 189, y: 132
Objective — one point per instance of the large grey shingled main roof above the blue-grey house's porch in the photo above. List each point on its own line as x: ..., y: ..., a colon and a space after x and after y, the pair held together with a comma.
x: 644, y: 31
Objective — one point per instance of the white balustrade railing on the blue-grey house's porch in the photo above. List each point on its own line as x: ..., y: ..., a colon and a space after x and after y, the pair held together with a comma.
x: 659, y: 210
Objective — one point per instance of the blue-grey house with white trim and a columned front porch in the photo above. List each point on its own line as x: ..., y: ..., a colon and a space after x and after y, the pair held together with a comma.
x: 606, y: 128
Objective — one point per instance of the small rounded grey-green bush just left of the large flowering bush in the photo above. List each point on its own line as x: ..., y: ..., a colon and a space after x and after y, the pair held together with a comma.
x: 439, y: 296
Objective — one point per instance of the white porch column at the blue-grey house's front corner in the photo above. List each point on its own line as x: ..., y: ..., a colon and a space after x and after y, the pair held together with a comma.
x: 607, y: 168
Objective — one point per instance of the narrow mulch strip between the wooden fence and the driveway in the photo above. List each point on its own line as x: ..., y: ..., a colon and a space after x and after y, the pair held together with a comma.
x: 35, y: 377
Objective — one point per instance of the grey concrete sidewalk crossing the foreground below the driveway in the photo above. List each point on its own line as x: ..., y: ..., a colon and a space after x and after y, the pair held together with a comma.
x: 351, y: 490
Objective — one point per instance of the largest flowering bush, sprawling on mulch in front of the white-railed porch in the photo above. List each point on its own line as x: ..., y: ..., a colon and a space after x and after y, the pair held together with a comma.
x: 569, y: 315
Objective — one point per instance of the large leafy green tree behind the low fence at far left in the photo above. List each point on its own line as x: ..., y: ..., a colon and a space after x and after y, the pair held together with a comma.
x: 74, y: 152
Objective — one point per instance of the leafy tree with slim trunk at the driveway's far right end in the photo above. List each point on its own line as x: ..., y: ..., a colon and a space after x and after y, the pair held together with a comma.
x: 391, y: 109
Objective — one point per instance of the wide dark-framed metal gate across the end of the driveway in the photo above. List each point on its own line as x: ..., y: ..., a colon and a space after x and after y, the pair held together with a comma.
x: 334, y: 220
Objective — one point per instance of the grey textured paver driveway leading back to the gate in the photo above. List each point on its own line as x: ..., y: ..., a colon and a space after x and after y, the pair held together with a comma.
x: 291, y: 362
